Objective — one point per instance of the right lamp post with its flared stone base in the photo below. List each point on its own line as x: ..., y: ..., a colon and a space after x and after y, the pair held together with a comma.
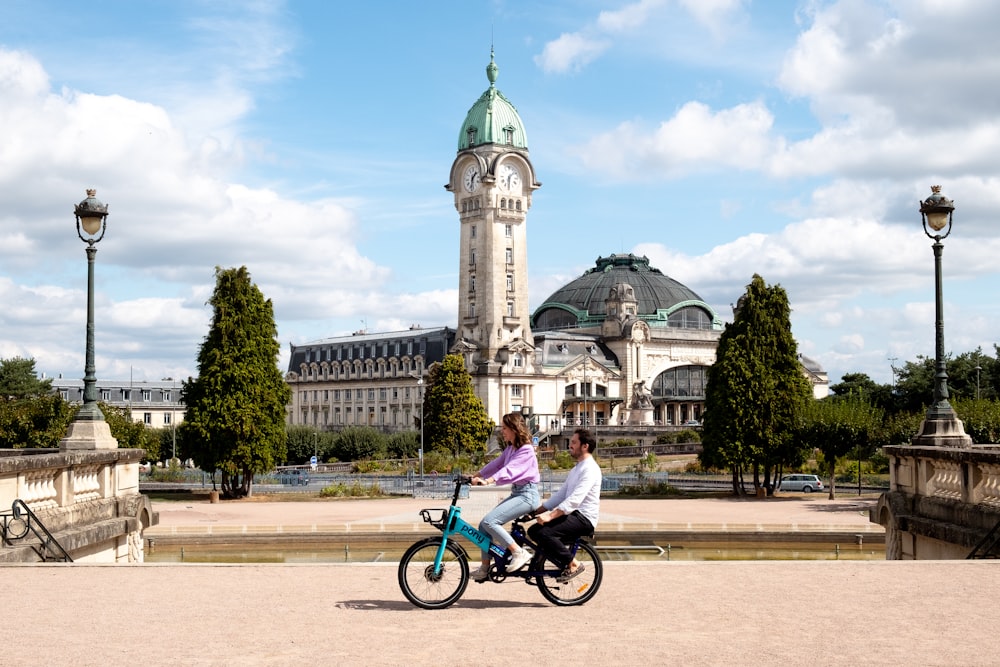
x: 941, y: 426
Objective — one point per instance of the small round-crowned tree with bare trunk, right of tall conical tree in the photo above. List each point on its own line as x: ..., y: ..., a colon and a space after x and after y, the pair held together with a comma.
x: 839, y: 425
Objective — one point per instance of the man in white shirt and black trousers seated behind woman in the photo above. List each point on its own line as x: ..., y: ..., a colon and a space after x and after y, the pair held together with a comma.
x: 573, y: 510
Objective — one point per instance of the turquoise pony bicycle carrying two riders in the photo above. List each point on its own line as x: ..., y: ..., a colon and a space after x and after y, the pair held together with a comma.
x: 434, y: 572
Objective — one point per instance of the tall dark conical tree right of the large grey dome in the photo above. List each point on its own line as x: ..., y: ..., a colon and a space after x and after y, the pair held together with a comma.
x: 756, y: 390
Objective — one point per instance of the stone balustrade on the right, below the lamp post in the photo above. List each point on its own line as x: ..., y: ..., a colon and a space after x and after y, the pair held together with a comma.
x: 942, y: 501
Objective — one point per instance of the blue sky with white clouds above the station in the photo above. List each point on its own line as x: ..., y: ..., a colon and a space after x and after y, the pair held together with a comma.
x: 310, y: 142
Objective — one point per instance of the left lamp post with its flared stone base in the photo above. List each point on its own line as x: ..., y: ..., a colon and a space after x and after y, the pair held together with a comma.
x: 89, y: 430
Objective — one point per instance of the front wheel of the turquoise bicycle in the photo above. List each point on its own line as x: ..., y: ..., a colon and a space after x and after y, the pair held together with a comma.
x: 421, y: 585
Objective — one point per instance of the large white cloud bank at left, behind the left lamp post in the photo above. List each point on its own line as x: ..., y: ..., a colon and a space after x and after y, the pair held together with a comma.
x: 174, y: 215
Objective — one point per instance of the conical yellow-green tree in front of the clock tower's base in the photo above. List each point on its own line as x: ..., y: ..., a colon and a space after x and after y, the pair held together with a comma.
x: 454, y: 417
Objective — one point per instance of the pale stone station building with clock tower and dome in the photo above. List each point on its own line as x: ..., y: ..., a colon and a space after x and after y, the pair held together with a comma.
x: 623, y: 347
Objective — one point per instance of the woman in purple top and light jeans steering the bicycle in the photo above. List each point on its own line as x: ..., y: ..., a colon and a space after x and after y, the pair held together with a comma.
x: 517, y: 465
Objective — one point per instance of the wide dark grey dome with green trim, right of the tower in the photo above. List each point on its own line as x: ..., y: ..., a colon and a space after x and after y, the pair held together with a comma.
x: 661, y: 300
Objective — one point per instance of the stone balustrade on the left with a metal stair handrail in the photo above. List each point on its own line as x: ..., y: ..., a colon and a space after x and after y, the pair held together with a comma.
x: 88, y: 499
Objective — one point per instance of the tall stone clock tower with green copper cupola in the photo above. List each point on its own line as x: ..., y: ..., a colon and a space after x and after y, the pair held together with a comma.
x: 492, y: 180
